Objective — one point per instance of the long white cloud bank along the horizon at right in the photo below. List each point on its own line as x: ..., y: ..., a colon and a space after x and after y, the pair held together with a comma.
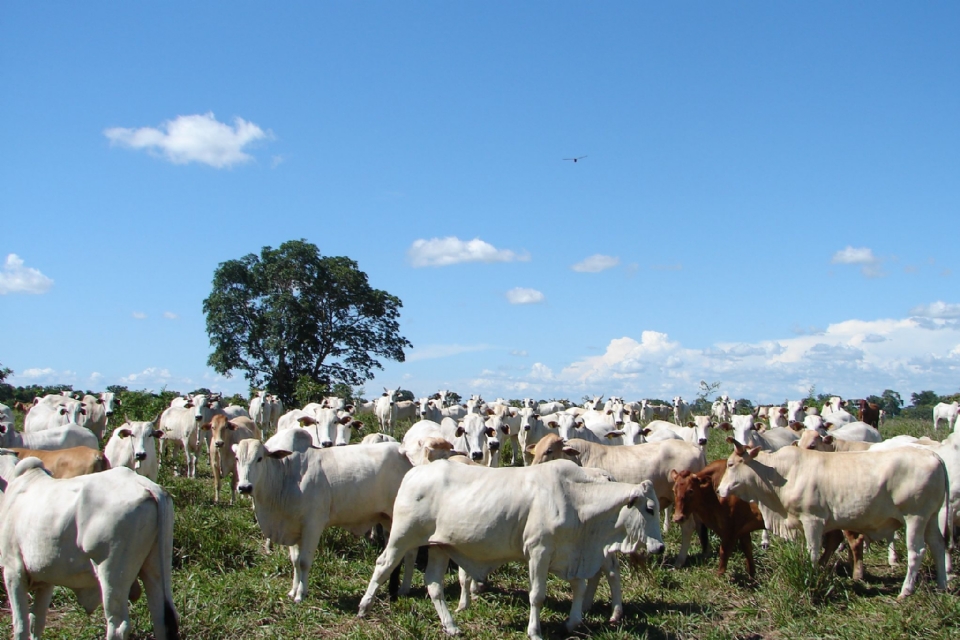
x: 852, y: 358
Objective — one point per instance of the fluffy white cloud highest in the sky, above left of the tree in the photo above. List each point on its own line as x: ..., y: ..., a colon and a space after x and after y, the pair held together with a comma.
x: 195, y: 138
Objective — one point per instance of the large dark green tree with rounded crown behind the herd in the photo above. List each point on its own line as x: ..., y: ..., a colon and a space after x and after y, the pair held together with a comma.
x: 291, y: 312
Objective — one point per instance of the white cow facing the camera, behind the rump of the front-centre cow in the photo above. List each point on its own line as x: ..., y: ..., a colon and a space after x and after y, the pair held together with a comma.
x: 298, y: 495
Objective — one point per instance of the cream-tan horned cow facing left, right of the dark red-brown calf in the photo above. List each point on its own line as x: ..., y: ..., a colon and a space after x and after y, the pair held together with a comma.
x: 871, y: 492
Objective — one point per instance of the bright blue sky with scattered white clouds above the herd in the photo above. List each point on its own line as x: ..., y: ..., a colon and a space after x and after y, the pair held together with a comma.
x: 769, y: 198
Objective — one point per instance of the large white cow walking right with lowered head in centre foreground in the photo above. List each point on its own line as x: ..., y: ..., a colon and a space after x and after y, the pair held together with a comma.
x: 556, y: 517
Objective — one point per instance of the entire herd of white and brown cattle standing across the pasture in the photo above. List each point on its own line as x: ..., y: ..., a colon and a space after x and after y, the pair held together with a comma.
x: 592, y: 484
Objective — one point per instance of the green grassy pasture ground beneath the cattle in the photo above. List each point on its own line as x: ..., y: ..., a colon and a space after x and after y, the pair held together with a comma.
x: 227, y: 587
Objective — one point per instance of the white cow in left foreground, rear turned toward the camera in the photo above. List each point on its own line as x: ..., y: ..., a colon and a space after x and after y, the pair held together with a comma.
x: 94, y: 534
